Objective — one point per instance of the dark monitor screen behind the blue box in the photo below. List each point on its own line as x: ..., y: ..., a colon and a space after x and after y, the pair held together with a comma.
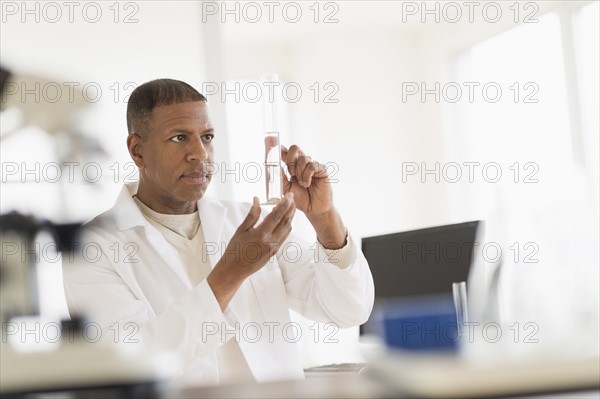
x: 420, y: 262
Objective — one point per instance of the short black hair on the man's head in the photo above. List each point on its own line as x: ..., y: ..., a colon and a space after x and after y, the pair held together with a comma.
x: 153, y: 94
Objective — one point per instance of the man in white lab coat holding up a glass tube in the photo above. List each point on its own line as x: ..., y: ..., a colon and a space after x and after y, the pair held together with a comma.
x: 208, y: 279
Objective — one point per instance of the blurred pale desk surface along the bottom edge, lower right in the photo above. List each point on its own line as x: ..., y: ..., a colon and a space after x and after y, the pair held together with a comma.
x: 435, y: 377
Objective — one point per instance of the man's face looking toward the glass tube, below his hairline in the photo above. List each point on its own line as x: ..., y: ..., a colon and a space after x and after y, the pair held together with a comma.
x: 174, y: 157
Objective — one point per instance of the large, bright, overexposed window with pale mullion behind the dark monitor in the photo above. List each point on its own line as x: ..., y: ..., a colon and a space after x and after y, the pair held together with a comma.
x: 541, y: 134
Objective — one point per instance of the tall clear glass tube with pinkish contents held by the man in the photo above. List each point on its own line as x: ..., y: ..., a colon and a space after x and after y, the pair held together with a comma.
x: 274, y: 190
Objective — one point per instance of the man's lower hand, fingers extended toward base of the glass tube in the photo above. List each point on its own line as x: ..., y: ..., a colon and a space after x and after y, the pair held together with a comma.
x: 250, y: 248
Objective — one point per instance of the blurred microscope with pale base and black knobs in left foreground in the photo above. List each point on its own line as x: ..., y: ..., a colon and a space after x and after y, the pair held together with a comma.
x: 72, y: 366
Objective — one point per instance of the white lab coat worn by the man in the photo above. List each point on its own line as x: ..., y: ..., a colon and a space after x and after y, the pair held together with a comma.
x: 126, y: 272
